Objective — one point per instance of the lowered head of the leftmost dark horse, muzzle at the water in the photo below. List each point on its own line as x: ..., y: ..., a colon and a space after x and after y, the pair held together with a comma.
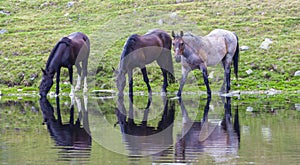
x: 46, y: 83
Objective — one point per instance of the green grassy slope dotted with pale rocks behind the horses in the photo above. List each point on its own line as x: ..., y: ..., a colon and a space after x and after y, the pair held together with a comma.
x: 34, y: 27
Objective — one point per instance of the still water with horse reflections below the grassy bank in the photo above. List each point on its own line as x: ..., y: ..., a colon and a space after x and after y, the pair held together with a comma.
x: 249, y: 129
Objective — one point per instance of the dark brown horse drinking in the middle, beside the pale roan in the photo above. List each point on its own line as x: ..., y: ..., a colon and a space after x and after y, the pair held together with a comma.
x: 140, y: 50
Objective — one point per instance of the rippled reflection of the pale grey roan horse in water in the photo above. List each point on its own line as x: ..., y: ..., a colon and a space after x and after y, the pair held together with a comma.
x: 218, y: 140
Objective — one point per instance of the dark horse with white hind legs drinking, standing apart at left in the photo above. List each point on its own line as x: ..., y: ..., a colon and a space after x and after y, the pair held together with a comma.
x: 71, y: 50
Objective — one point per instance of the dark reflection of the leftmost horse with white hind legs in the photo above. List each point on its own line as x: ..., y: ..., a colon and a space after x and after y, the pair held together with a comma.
x: 71, y: 137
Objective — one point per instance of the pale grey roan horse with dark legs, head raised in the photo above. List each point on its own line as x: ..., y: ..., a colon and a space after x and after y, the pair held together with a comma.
x: 196, y: 52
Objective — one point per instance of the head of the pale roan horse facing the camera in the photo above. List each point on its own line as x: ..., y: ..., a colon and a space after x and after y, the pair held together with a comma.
x: 178, y: 45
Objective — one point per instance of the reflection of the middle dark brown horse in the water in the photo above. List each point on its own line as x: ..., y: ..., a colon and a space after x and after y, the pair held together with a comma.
x: 142, y: 139
